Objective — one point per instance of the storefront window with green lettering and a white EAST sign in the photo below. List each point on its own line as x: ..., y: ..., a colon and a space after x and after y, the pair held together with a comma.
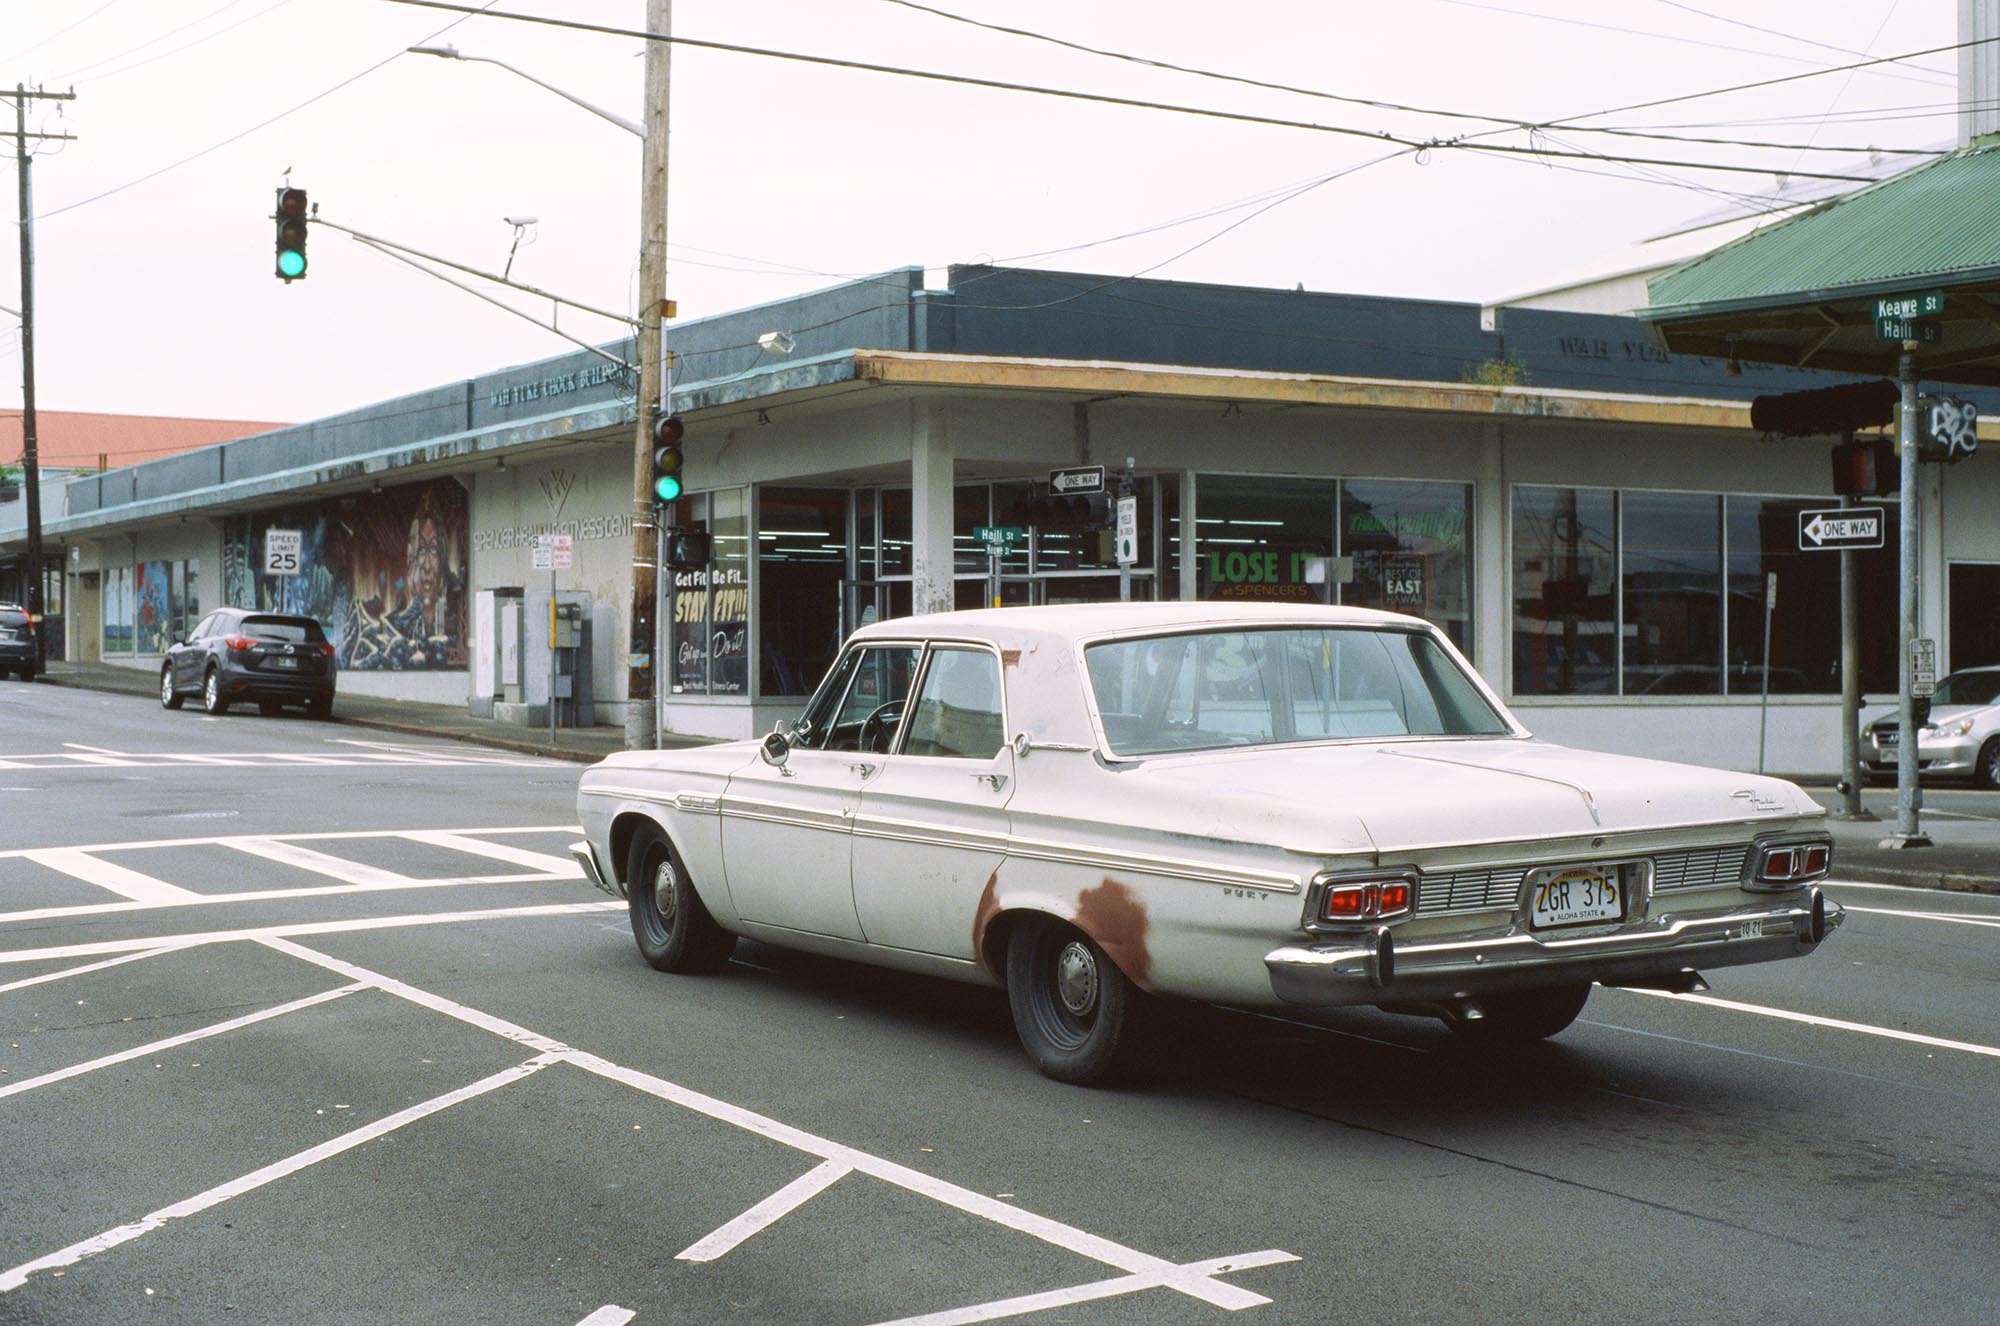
x: 1411, y: 547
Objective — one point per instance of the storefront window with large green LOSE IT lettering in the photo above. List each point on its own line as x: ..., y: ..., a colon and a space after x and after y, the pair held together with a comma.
x: 1259, y: 537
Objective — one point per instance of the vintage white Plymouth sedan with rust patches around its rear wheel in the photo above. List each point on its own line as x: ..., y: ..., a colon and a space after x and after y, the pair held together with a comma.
x: 1233, y: 803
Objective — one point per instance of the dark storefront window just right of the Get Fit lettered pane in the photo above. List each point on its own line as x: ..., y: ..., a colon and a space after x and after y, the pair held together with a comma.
x: 803, y: 561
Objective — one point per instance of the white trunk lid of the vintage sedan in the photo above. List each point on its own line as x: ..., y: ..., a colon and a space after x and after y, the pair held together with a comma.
x: 1401, y: 797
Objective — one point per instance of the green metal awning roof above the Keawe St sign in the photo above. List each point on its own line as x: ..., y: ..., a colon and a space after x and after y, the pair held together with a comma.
x: 1805, y: 291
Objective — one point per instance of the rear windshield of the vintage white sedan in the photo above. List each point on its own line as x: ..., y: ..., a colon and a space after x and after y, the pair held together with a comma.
x: 1273, y: 687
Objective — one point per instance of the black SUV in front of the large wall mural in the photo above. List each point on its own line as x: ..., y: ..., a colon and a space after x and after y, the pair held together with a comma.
x: 247, y: 657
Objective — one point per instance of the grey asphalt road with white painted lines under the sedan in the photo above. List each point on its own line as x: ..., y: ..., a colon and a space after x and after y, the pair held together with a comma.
x: 299, y: 1025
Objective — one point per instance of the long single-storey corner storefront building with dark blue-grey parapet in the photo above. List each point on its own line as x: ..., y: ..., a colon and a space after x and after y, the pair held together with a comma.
x: 1589, y: 519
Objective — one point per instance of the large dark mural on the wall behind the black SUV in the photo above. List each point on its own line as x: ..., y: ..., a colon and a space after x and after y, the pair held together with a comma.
x: 385, y: 575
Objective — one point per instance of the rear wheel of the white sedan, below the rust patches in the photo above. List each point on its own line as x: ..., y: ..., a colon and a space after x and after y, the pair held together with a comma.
x: 1075, y: 1011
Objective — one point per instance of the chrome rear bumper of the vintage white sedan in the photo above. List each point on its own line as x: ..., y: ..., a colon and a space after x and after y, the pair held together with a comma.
x: 1373, y: 969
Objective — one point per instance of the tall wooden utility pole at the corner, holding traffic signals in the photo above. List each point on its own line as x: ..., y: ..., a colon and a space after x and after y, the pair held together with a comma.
x: 647, y: 669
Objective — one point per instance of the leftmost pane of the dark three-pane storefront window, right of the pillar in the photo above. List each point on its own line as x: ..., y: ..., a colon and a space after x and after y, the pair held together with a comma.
x: 1565, y: 605
